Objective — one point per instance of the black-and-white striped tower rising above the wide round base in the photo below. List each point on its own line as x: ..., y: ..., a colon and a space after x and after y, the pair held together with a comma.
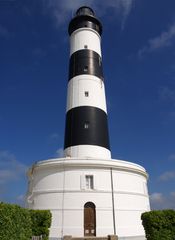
x: 86, y: 132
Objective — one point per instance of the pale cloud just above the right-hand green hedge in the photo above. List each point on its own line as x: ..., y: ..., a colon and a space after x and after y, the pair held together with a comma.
x: 162, y: 201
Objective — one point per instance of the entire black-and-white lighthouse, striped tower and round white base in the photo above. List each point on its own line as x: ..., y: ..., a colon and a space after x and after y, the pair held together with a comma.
x: 88, y: 193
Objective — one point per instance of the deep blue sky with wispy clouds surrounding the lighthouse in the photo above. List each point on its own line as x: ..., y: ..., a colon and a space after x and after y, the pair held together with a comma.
x: 138, y: 45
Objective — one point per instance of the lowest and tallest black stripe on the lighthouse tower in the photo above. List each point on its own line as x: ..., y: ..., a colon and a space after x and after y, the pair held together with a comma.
x: 76, y: 133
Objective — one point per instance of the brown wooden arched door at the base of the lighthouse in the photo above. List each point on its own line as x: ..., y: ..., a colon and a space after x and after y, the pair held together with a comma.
x: 89, y: 219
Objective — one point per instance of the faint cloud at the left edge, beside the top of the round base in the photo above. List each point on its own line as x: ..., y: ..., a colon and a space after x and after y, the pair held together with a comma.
x: 10, y: 168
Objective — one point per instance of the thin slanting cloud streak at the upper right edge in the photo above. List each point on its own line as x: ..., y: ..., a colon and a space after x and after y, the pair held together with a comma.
x: 165, y: 39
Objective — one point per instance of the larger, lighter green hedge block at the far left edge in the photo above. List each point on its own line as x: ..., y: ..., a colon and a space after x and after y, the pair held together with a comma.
x: 15, y: 222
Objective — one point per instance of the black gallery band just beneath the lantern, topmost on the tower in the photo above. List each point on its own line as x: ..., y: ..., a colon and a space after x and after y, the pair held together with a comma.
x: 85, y: 21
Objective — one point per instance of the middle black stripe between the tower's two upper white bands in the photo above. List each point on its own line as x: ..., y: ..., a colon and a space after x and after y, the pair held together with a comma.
x: 85, y: 61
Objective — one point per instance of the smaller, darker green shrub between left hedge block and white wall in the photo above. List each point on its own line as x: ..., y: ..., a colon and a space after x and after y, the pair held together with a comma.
x: 41, y: 221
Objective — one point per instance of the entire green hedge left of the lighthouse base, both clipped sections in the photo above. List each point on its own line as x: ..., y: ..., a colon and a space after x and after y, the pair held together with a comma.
x: 17, y: 223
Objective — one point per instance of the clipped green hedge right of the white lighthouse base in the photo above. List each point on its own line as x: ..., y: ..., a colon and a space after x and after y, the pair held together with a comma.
x: 159, y: 224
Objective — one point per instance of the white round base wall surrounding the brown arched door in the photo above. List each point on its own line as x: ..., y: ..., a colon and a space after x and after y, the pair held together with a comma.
x: 57, y: 185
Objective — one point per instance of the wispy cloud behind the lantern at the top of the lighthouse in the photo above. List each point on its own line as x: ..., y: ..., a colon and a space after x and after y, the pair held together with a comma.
x: 62, y: 10
